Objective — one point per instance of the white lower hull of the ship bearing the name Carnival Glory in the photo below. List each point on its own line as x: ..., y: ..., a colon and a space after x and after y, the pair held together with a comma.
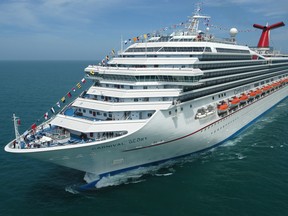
x: 163, y: 138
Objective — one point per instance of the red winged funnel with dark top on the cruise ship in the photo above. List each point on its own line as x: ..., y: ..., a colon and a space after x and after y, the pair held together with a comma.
x: 264, y: 39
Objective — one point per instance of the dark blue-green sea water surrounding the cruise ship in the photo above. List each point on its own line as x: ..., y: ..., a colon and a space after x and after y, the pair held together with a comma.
x: 248, y: 175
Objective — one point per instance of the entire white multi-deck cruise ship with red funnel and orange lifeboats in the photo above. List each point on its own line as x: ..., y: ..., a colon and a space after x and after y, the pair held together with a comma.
x: 161, y: 98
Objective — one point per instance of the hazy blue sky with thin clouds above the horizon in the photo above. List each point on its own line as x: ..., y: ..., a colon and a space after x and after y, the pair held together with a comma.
x: 90, y: 29
